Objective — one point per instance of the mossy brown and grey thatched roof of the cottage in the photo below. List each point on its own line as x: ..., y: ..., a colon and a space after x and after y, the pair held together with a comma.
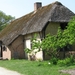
x: 35, y: 22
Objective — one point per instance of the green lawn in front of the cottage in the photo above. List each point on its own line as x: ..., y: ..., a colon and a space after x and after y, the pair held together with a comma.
x: 33, y: 67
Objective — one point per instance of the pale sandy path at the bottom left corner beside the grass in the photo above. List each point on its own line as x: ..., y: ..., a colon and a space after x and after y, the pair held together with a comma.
x: 4, y: 71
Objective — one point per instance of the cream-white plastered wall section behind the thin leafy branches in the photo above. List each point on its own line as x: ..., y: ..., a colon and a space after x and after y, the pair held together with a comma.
x: 38, y: 55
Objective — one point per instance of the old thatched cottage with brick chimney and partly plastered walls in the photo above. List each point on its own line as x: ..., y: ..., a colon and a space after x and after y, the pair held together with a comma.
x: 43, y: 20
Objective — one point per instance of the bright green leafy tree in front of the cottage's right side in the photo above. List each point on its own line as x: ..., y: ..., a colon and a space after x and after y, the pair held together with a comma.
x: 53, y: 43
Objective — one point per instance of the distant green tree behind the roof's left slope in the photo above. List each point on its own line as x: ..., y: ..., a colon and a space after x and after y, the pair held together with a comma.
x: 5, y: 20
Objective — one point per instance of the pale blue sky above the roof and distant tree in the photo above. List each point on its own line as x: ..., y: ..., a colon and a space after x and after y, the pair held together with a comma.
x: 19, y: 8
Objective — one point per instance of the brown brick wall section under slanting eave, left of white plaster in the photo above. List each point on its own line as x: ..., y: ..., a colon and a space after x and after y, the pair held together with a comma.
x: 17, y: 48
